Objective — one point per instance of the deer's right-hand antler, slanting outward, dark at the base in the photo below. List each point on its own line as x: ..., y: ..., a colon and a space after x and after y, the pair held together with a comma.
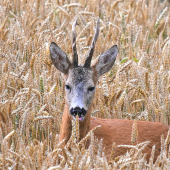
x: 89, y: 57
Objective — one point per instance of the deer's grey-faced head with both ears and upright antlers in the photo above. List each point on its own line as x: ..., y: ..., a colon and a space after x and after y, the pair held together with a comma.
x: 81, y: 80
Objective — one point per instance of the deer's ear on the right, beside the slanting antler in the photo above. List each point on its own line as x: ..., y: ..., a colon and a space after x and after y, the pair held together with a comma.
x: 106, y: 60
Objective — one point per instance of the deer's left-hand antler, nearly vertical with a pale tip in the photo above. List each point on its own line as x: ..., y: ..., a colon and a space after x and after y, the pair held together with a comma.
x: 74, y: 50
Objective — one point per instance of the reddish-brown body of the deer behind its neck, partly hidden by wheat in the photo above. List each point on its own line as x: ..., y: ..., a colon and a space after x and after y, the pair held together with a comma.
x: 119, y: 132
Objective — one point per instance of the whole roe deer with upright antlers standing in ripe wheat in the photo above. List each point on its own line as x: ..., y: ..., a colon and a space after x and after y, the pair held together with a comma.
x: 80, y: 89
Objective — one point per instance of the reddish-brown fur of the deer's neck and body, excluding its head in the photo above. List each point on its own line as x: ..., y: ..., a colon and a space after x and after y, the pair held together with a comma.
x: 116, y: 131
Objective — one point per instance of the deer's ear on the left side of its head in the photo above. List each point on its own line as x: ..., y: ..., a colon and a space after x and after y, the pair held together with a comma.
x: 59, y: 58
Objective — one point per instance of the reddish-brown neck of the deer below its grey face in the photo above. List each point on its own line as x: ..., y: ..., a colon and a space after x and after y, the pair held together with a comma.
x: 66, y: 127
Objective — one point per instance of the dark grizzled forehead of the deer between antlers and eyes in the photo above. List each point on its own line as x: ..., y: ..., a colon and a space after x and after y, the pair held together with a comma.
x: 80, y: 75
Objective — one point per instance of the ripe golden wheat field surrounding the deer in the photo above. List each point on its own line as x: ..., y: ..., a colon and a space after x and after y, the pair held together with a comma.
x: 32, y: 90
